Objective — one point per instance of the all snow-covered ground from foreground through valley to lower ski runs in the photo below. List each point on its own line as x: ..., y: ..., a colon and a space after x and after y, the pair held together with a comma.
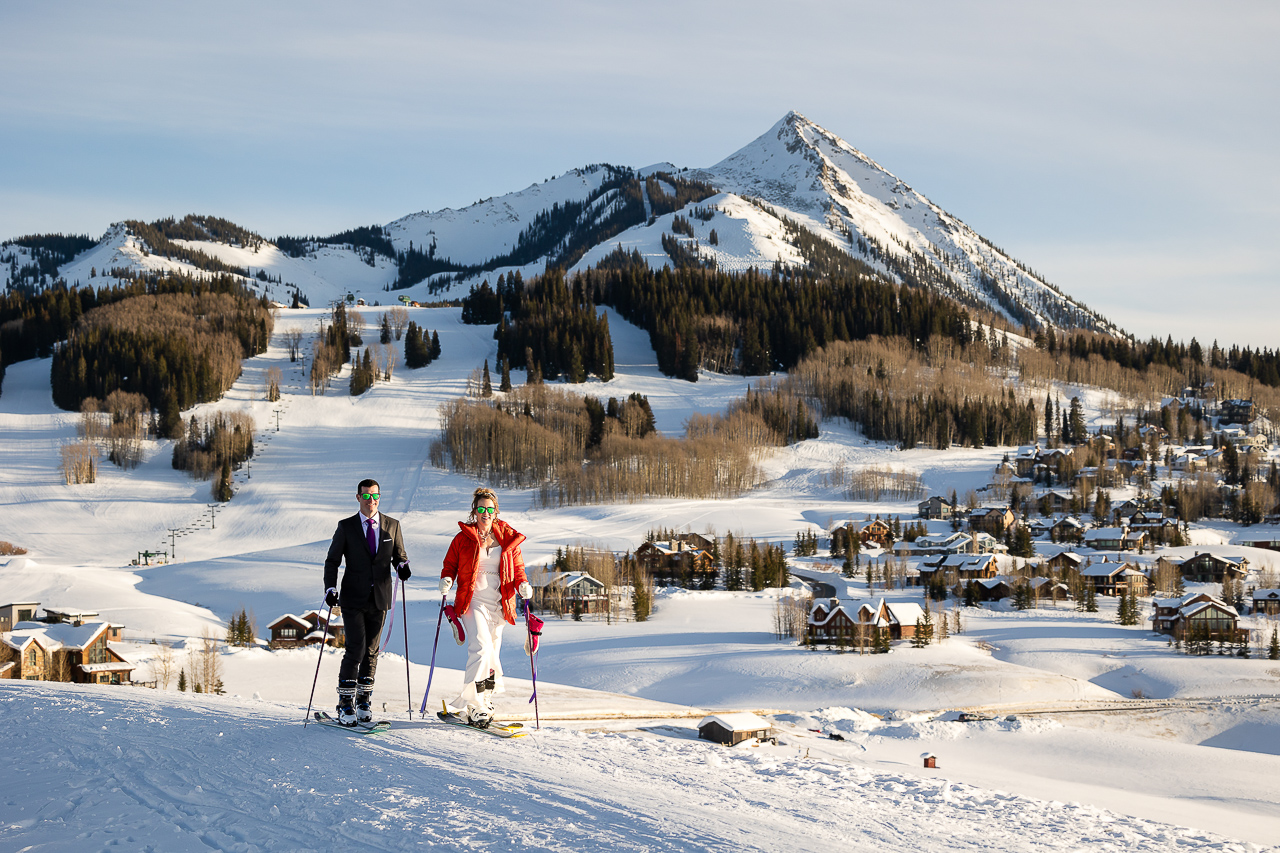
x: 618, y: 764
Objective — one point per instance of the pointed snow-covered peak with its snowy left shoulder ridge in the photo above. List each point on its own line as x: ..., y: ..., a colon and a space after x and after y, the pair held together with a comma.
x: 796, y: 172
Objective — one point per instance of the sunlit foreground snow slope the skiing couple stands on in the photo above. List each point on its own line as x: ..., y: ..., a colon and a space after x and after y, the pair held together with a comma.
x: 132, y: 769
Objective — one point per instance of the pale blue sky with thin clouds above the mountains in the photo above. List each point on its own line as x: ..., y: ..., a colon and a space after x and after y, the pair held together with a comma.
x: 1126, y: 150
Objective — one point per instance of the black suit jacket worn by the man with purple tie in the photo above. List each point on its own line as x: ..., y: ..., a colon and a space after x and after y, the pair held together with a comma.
x: 367, y: 585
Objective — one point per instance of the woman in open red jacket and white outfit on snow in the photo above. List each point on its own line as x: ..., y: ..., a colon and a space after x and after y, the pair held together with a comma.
x: 486, y: 565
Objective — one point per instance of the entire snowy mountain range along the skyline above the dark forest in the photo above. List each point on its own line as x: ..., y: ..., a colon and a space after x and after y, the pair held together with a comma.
x: 788, y: 198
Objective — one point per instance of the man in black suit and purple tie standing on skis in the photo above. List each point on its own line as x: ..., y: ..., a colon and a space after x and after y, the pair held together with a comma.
x: 371, y: 544
